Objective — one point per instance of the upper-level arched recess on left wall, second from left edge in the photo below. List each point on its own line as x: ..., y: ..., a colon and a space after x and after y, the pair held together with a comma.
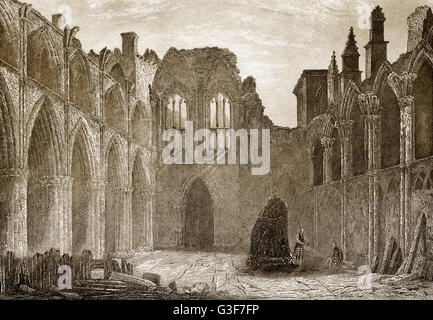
x: 43, y: 62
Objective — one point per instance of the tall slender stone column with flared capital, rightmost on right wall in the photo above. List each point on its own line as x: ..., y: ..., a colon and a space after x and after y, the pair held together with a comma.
x: 402, y: 87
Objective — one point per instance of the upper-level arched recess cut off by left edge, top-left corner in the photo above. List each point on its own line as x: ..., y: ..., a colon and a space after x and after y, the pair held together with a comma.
x: 8, y: 47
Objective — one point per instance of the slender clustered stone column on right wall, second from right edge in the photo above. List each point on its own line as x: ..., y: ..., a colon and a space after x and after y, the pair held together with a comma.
x: 369, y: 104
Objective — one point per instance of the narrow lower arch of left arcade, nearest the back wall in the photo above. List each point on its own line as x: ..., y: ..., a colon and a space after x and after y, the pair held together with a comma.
x: 140, y: 203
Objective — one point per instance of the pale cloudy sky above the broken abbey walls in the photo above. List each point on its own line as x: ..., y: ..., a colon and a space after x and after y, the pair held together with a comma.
x: 274, y: 40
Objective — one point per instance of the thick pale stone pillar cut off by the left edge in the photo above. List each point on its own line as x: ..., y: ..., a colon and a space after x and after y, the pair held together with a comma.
x: 13, y: 212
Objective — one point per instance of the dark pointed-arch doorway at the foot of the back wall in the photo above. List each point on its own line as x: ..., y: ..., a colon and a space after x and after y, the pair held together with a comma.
x: 199, y: 217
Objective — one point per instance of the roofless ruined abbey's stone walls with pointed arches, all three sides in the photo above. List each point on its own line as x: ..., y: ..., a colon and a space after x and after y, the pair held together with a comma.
x: 80, y: 142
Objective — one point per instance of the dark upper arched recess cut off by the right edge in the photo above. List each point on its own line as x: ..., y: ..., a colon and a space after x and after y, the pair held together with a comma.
x: 423, y: 88
